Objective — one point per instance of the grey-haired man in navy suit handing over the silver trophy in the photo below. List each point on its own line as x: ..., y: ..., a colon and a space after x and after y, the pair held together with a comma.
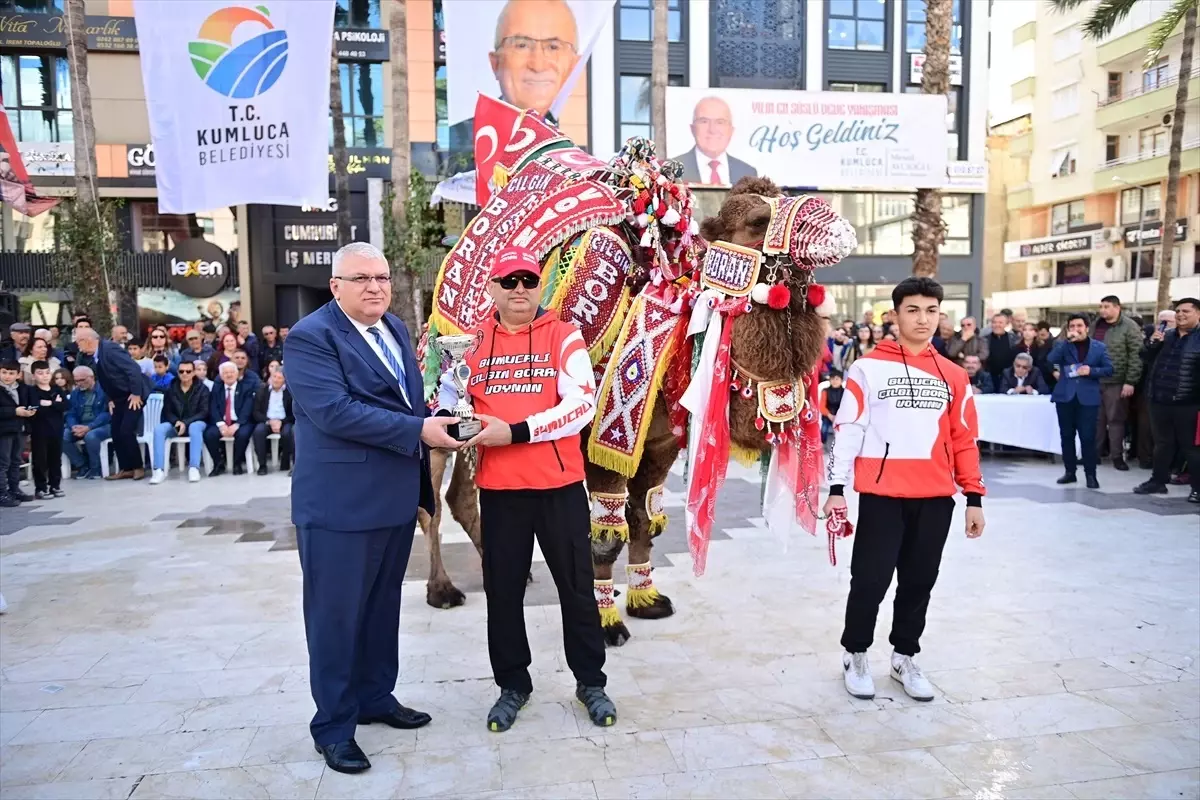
x: 362, y: 471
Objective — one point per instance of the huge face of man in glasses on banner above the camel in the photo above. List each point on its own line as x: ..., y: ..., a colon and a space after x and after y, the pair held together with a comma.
x: 537, y: 46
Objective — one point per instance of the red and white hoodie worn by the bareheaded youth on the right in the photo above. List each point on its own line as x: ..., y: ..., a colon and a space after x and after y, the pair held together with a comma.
x: 907, y: 428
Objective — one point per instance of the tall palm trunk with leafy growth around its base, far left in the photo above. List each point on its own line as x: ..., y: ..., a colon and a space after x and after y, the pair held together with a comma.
x: 89, y: 226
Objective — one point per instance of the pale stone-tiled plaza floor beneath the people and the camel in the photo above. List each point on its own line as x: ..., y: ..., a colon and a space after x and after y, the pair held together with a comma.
x: 154, y: 648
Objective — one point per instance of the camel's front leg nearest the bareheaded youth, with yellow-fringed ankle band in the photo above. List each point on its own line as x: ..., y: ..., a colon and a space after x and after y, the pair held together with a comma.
x: 647, y: 519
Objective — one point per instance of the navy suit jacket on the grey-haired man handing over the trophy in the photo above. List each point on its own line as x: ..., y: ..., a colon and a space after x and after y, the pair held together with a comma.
x: 361, y: 464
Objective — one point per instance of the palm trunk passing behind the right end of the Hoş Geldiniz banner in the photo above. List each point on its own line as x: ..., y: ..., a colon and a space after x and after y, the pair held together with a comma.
x: 928, y: 227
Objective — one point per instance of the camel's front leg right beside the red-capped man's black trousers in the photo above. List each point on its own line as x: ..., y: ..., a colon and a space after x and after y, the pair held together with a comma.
x: 607, y: 491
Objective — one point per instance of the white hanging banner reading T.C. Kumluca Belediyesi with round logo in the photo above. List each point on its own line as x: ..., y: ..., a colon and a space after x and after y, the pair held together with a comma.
x: 238, y: 99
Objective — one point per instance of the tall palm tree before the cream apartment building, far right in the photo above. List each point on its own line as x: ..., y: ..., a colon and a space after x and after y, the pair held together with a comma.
x: 1099, y: 25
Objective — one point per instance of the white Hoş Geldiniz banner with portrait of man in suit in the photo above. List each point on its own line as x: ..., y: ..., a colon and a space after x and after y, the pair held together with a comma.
x: 827, y: 140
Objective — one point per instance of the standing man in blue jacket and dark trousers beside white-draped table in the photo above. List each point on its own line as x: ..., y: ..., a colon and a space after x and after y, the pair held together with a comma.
x: 1079, y: 363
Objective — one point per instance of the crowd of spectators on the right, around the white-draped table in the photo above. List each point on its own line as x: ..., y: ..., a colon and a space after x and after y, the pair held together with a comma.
x: 1129, y: 388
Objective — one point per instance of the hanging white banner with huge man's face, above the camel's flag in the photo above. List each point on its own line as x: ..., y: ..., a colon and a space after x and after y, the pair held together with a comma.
x: 529, y: 53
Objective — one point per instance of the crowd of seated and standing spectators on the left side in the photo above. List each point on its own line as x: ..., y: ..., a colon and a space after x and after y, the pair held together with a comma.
x: 218, y: 384
